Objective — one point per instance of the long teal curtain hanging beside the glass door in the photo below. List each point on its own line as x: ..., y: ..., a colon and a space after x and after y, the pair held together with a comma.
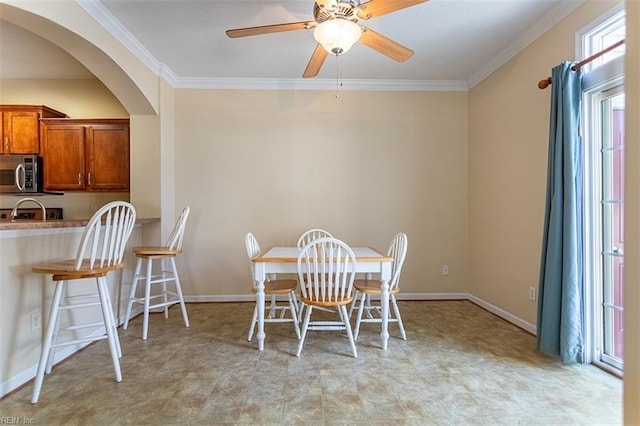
x: 560, y: 322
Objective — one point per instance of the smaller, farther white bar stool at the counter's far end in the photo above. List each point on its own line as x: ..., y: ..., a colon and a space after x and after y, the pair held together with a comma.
x: 165, y: 253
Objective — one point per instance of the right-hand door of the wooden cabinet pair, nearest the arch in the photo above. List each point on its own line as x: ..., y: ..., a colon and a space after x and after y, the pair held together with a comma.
x: 107, y: 157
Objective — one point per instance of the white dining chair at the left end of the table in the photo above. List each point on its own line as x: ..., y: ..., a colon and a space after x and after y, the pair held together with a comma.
x: 272, y: 287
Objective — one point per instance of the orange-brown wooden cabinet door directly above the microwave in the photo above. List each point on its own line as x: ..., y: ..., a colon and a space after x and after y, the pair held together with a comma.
x: 21, y: 132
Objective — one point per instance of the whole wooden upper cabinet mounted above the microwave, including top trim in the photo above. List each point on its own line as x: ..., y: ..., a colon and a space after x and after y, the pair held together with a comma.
x: 21, y: 127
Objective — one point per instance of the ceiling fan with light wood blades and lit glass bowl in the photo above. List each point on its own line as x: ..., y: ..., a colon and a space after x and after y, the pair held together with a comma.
x: 336, y: 29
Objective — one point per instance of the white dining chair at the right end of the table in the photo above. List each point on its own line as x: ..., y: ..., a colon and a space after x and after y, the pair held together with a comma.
x: 367, y: 288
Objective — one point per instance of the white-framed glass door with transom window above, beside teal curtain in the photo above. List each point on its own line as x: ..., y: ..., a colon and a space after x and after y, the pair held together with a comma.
x: 603, y: 129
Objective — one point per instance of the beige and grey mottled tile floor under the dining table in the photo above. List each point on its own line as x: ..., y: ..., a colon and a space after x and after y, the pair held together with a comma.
x: 460, y: 365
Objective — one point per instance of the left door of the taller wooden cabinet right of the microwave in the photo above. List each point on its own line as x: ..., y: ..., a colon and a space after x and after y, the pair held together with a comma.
x: 63, y: 157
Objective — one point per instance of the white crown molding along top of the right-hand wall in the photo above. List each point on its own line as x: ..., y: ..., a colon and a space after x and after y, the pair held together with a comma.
x: 554, y: 16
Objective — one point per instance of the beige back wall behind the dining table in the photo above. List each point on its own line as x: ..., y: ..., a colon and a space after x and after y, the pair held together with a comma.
x: 365, y: 166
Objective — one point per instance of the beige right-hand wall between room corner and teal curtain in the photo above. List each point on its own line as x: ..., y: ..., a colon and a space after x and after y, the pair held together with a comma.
x: 508, y: 142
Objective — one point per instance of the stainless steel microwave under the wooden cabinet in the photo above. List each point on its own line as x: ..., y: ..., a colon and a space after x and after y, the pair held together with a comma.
x: 20, y: 174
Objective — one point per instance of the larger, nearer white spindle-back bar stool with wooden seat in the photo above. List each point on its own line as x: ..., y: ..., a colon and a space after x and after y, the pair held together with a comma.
x: 101, y: 251
